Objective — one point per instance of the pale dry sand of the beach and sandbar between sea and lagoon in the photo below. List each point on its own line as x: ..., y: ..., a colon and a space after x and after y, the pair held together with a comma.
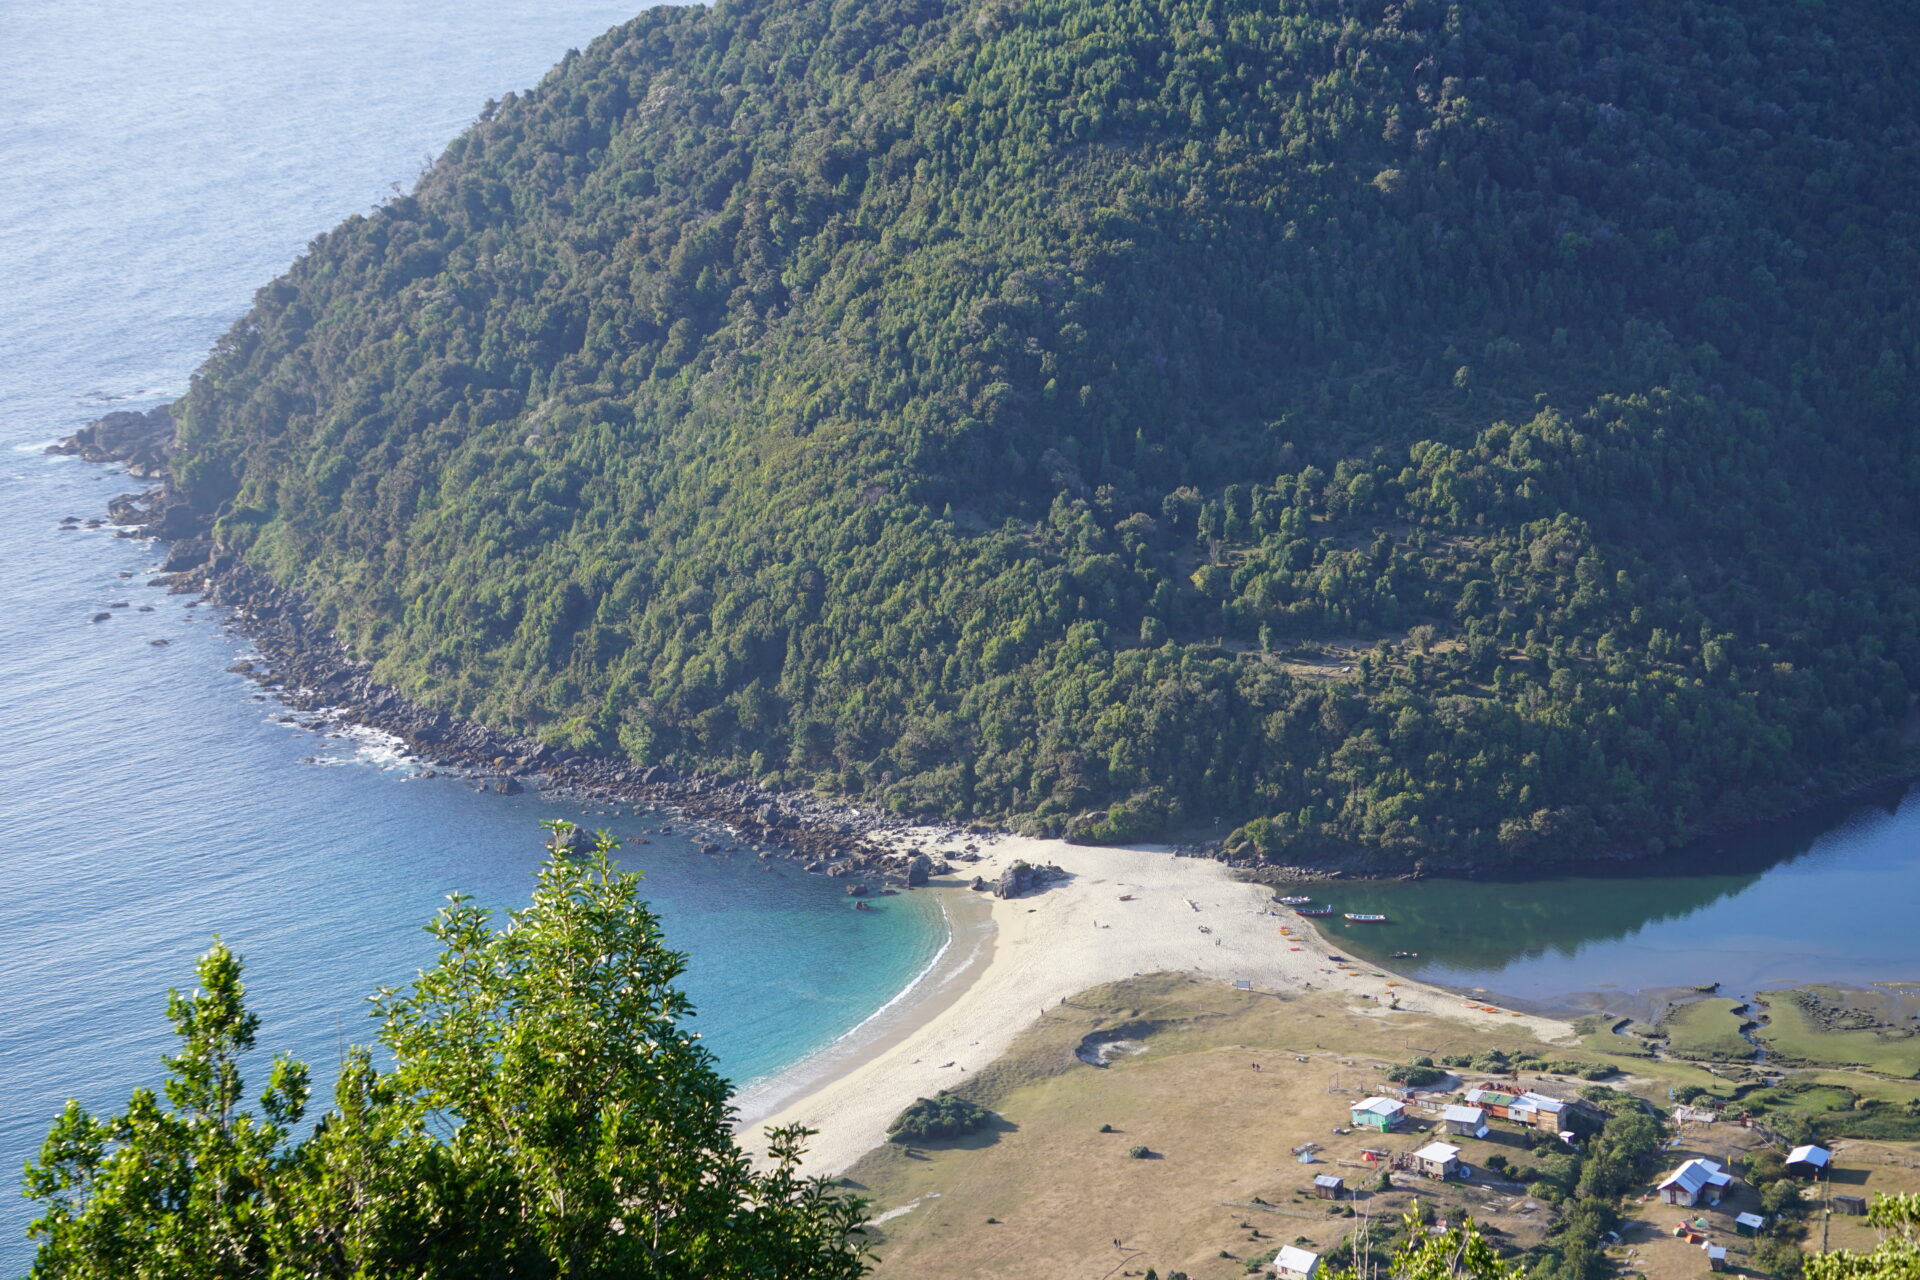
x: 1188, y: 914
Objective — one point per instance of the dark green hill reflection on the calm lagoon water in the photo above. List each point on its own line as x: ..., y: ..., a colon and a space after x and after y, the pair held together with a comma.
x: 1493, y: 924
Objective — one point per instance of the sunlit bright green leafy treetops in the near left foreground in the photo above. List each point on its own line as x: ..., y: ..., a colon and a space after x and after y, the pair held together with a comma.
x: 548, y: 1114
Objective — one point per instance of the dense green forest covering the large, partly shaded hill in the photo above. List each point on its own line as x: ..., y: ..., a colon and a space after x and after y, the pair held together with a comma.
x: 1443, y: 431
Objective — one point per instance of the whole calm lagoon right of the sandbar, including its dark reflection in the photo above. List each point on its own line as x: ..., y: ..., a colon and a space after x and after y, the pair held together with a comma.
x: 1829, y: 899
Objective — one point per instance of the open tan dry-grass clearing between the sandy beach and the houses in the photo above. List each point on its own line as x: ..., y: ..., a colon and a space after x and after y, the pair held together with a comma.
x: 1047, y: 1193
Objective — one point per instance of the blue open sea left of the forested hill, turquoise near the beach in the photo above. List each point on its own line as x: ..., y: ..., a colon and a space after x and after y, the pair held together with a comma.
x: 160, y: 162
